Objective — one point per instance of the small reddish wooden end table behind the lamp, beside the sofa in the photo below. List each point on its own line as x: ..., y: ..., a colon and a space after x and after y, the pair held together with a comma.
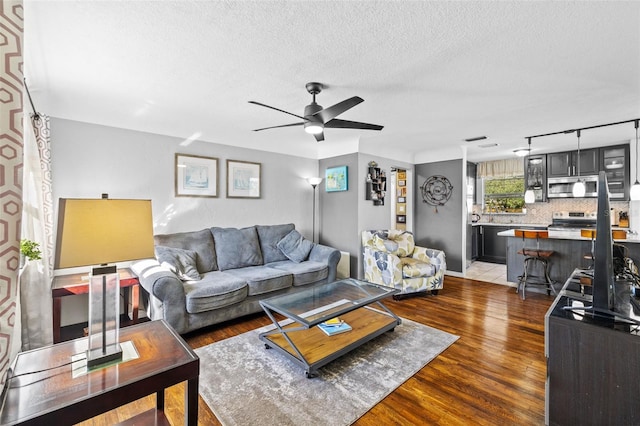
x: 74, y: 284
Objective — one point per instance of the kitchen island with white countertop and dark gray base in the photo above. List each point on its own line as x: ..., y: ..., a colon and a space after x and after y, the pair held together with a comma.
x: 569, y: 254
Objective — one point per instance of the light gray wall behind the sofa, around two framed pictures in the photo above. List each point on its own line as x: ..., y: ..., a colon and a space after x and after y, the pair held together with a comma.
x: 89, y: 159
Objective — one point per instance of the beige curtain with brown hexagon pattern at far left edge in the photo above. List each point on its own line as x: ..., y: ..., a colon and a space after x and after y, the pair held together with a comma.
x: 11, y: 160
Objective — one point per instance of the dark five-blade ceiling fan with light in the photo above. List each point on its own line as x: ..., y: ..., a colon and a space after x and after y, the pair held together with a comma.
x: 316, y: 118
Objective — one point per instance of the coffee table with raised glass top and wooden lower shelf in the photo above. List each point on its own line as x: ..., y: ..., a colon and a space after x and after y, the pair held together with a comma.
x: 298, y: 336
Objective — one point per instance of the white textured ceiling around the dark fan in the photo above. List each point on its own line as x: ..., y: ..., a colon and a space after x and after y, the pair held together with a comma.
x: 433, y: 73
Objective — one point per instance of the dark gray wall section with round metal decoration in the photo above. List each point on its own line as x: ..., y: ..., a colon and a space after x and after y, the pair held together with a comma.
x: 442, y: 230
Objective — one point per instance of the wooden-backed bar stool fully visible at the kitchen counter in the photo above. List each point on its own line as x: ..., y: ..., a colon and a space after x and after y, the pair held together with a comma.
x: 532, y: 257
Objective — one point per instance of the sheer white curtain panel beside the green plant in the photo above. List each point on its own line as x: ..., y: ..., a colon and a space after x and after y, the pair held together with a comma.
x: 37, y: 225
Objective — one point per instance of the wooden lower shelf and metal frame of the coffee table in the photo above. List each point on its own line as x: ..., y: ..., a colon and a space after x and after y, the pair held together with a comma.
x: 311, y: 348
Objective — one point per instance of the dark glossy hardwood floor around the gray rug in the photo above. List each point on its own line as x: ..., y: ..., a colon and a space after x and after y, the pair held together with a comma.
x: 494, y: 374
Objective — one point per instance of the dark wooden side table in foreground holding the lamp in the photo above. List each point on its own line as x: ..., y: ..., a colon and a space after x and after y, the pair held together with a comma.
x: 46, y: 388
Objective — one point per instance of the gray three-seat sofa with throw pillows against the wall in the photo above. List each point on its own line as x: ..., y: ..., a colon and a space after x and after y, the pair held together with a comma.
x: 206, y: 277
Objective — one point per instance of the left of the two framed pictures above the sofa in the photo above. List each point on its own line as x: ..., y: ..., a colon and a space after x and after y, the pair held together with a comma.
x: 196, y: 176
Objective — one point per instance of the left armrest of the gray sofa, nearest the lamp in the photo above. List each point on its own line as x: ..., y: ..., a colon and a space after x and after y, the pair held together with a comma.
x: 166, y: 292
